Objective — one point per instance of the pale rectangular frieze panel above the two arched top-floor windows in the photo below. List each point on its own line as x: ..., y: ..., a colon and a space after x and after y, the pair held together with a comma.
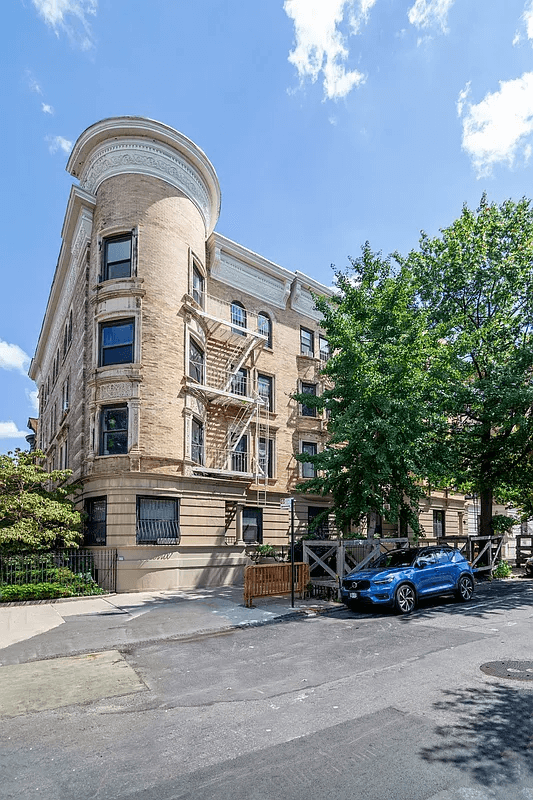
x: 250, y: 280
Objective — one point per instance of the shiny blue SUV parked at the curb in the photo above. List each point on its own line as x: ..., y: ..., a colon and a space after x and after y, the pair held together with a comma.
x: 401, y: 577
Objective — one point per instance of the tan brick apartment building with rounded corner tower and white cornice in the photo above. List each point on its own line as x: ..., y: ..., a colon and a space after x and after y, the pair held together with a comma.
x: 167, y: 362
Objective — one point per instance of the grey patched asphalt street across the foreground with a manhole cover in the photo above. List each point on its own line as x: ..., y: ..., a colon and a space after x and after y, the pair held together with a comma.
x: 341, y: 705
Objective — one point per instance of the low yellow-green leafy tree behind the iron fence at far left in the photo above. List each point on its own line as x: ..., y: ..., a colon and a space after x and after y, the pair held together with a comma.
x: 36, y: 509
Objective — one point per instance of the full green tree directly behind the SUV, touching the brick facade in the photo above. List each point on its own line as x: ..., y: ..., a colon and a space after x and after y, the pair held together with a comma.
x: 385, y: 426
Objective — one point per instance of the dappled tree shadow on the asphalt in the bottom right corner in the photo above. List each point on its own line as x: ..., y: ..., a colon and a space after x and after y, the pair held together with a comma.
x: 491, y: 739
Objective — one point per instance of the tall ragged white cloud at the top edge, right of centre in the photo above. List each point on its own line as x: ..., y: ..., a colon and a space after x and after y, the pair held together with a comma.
x: 320, y: 47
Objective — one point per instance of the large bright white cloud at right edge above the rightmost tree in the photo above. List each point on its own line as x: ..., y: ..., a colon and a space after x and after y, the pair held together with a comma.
x: 496, y: 130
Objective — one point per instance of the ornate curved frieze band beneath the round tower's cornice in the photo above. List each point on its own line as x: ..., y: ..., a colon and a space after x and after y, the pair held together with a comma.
x: 136, y: 156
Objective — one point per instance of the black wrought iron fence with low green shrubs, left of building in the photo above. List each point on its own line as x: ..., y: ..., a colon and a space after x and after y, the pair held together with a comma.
x: 60, y: 566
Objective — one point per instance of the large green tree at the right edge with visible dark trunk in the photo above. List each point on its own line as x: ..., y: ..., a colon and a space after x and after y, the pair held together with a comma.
x: 476, y: 288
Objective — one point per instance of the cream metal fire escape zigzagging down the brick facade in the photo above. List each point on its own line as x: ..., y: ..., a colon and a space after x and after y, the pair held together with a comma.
x: 234, y: 440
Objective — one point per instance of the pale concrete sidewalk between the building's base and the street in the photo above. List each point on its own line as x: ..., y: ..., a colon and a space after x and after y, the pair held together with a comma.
x: 173, y: 614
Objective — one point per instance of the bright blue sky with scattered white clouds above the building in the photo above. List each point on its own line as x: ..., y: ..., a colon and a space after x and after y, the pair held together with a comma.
x: 329, y: 122
